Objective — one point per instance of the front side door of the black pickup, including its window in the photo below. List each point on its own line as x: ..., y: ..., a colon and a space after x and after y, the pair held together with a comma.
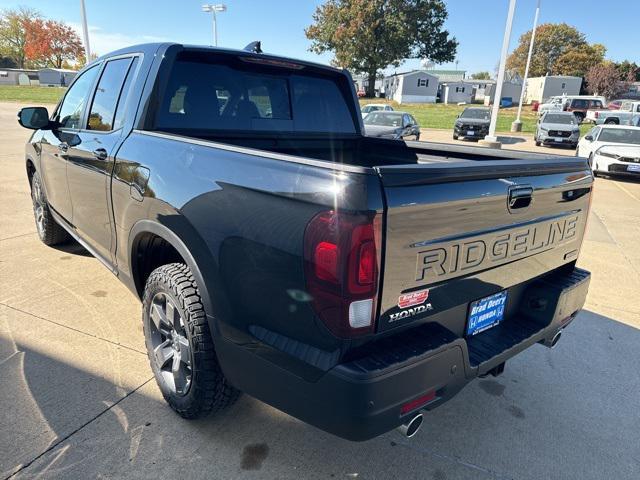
x: 56, y: 143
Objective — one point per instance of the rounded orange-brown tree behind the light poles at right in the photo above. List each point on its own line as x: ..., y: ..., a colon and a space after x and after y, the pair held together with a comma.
x: 553, y: 41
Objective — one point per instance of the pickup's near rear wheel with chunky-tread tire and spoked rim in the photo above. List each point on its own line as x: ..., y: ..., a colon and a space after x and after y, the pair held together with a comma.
x: 180, y: 346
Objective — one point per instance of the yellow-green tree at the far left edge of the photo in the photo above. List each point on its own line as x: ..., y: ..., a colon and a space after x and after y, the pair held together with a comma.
x: 13, y: 28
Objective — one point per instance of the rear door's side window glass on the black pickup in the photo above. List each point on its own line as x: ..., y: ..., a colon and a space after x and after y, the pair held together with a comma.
x: 105, y: 100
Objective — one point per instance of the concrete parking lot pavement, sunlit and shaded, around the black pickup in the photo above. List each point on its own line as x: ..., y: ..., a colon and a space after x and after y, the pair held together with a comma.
x: 78, y: 399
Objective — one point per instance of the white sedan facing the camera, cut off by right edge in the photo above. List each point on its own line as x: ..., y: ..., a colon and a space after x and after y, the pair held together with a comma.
x: 612, y: 149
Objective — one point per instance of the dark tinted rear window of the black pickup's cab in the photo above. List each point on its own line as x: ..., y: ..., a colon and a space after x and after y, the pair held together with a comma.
x: 226, y: 96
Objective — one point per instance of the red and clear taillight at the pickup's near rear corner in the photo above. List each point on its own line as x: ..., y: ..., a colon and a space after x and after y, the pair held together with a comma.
x: 342, y: 265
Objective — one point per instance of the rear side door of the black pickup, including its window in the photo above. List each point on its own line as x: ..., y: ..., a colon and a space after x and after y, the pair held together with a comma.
x: 91, y: 159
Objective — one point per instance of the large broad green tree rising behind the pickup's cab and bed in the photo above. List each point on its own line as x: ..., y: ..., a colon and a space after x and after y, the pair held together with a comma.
x: 366, y: 36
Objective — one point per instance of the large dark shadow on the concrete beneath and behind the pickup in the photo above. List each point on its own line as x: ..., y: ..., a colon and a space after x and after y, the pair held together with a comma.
x: 565, y: 413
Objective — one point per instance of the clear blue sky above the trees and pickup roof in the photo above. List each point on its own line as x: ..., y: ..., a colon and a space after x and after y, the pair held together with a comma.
x: 478, y: 26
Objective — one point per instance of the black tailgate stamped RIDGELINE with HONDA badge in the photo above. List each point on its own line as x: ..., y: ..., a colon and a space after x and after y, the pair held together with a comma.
x: 460, y: 230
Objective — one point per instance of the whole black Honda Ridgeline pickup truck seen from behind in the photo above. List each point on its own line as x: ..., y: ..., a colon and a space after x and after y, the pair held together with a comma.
x: 351, y: 282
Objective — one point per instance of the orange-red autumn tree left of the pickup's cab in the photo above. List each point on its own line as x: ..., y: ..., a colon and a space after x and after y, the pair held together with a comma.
x: 51, y: 43
